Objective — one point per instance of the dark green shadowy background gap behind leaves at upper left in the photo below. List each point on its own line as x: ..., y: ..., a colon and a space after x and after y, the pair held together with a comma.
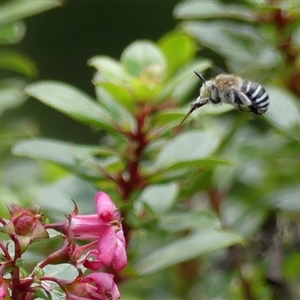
x: 60, y: 41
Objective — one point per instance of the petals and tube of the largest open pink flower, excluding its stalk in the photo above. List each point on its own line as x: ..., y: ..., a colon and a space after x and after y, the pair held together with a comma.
x: 106, y: 227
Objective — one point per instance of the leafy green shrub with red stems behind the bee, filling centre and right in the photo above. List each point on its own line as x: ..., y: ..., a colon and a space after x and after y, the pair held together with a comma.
x: 225, y: 181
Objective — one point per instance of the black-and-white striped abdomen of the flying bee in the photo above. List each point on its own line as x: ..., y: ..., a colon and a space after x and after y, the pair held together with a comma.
x: 258, y: 95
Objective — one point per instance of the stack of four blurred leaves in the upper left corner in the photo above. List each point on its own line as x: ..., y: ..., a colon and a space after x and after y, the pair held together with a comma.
x: 12, y: 62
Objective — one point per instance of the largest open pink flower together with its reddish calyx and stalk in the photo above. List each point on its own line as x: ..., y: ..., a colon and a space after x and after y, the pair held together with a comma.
x: 104, y: 229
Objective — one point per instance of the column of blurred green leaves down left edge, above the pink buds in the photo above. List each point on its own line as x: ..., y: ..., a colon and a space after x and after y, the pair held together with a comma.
x: 16, y: 69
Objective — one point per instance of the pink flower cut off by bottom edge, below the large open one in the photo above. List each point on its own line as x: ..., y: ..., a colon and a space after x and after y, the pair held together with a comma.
x: 95, y: 286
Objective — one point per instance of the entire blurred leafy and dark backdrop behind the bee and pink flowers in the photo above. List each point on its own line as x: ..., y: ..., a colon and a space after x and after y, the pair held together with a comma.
x: 211, y: 209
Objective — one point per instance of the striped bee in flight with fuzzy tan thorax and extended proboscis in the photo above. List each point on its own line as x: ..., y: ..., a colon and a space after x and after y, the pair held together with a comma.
x: 244, y: 95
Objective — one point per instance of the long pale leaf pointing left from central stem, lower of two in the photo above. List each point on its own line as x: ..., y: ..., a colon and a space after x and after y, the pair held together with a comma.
x: 77, y: 158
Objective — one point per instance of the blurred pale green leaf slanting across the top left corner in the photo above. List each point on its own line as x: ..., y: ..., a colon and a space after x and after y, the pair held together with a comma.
x: 15, y: 10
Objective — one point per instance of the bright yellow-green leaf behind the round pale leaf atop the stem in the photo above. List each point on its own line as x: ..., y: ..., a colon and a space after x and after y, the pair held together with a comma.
x: 178, y: 49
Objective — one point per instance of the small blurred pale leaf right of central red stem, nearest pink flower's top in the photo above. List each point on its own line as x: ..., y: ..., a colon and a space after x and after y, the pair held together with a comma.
x: 160, y: 198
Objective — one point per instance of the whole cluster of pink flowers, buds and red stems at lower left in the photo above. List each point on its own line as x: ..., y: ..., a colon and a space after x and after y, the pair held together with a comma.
x: 102, y: 246
